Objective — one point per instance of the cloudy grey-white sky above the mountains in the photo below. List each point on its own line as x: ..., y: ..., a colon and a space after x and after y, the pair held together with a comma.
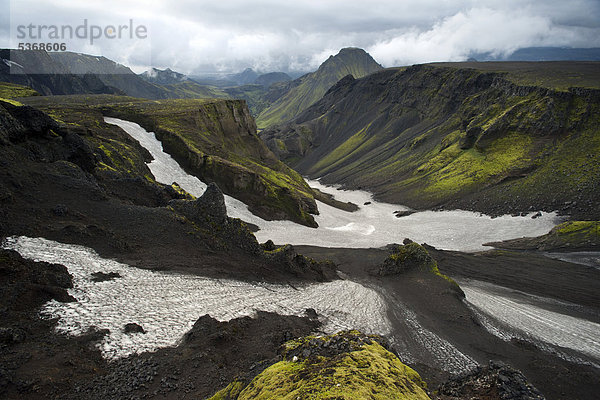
x: 223, y: 36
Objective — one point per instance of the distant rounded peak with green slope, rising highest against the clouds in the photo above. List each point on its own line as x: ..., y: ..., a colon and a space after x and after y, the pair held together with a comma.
x: 313, y: 86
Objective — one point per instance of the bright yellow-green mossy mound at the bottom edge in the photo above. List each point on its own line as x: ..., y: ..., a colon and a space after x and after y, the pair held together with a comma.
x: 364, y: 370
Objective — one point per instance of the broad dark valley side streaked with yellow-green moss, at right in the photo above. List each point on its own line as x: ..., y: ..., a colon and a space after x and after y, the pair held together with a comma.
x: 427, y: 136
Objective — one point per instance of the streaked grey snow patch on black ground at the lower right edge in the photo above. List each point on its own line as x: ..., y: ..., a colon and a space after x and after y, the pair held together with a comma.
x: 520, y: 313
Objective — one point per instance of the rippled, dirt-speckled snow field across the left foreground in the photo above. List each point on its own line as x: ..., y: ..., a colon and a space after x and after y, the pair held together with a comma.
x: 166, y: 305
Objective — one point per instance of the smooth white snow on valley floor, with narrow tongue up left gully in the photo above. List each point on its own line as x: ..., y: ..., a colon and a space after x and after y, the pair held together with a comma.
x: 374, y: 225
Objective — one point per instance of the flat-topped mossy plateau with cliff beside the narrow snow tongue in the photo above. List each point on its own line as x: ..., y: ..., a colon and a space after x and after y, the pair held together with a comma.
x: 215, y: 138
